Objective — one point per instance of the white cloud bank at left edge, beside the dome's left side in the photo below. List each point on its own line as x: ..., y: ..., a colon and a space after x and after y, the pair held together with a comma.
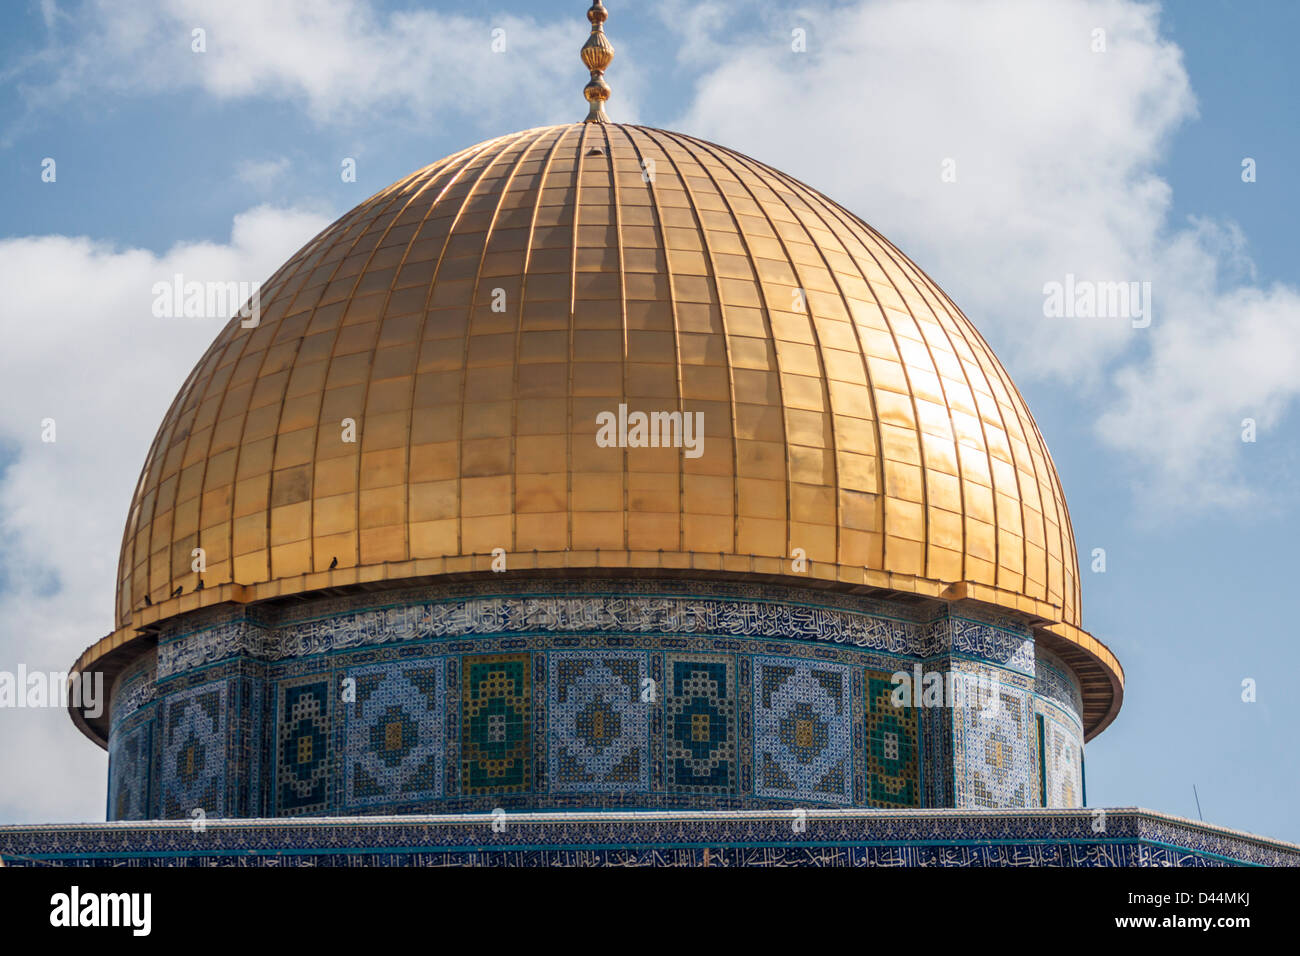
x: 83, y: 348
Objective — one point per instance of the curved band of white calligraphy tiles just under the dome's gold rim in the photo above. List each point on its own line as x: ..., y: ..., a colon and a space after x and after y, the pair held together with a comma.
x: 592, y: 607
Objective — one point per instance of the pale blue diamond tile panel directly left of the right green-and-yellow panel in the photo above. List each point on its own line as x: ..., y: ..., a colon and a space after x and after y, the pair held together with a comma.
x: 803, y: 730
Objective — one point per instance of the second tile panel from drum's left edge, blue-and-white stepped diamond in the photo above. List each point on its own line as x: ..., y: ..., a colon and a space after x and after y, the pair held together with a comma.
x: 194, y: 752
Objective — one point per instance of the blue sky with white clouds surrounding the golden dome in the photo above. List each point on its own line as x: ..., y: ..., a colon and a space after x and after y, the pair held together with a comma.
x: 1004, y: 145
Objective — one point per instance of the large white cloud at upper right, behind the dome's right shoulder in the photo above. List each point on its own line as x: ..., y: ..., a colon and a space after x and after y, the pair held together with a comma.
x: 1058, y: 154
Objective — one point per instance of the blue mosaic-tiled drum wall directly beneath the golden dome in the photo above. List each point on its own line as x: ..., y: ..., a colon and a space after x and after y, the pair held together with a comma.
x: 612, y: 697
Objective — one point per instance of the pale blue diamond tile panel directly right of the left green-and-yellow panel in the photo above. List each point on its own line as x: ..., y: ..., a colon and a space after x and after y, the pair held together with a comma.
x: 599, y: 728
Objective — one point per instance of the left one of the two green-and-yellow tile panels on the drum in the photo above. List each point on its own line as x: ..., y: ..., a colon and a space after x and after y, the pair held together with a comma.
x: 496, y: 721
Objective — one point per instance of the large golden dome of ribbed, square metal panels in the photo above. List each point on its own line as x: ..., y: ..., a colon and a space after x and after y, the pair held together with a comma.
x: 476, y: 318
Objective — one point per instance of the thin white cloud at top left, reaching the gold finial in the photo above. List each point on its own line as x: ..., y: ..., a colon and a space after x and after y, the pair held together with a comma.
x: 343, y: 60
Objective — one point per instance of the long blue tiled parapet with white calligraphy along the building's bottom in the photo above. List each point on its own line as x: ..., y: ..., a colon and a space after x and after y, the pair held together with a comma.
x: 842, y: 838
